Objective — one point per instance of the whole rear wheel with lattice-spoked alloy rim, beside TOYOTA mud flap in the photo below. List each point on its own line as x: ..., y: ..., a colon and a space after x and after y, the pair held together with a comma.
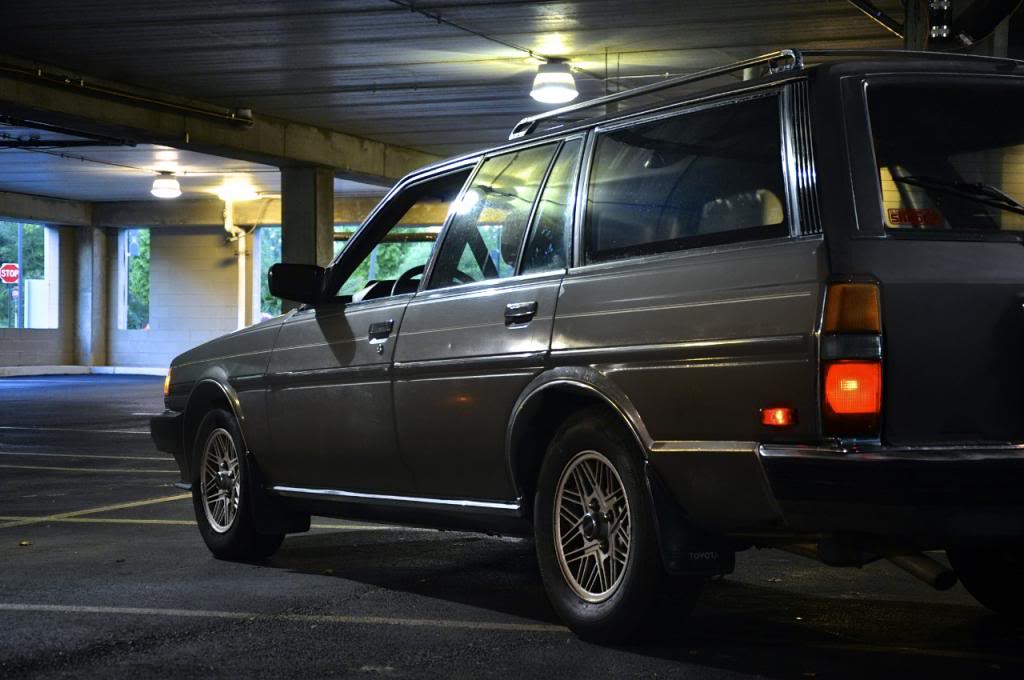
x: 596, y: 538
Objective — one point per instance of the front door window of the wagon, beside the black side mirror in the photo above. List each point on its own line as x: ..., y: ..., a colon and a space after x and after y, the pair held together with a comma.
x: 409, y: 225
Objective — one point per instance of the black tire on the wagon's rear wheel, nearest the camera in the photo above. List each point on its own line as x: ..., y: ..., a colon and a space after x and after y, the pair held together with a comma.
x: 642, y: 592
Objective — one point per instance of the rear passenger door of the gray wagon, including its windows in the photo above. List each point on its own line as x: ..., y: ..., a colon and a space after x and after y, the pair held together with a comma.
x: 481, y: 329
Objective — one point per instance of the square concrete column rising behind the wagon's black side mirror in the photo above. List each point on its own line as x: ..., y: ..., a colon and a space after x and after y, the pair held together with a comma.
x: 308, y: 216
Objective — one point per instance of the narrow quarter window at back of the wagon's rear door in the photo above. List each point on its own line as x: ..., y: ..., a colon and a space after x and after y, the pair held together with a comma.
x: 548, y: 245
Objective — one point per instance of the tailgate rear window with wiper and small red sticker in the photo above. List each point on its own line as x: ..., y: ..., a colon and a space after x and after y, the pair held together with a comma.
x: 951, y: 158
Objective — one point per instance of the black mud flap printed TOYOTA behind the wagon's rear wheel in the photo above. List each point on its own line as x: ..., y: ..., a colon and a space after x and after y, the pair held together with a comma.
x: 686, y: 551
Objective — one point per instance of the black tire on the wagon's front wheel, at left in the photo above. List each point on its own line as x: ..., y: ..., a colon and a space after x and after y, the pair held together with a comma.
x: 233, y: 538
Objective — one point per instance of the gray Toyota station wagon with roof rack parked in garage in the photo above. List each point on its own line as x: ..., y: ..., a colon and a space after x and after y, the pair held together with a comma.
x: 785, y: 312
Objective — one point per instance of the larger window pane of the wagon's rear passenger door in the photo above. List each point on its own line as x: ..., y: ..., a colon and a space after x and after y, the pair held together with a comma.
x: 487, y: 231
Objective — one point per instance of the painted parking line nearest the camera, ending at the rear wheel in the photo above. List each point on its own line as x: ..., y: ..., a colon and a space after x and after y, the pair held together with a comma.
x: 293, y: 618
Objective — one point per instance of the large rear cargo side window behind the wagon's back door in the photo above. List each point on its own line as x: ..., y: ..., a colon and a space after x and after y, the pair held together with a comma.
x: 694, y: 180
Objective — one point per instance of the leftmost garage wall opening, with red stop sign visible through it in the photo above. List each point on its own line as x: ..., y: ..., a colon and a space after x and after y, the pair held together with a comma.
x: 29, y: 271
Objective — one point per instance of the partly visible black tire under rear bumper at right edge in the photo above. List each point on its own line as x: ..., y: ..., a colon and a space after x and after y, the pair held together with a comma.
x: 994, y: 576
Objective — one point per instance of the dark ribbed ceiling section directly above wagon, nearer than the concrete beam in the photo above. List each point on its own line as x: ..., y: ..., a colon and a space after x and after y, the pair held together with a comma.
x: 449, y: 78
